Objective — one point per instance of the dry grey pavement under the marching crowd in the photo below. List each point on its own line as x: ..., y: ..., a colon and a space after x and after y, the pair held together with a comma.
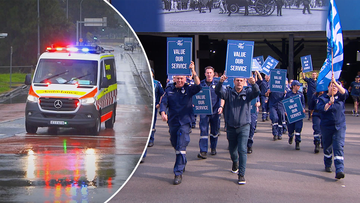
x: 276, y: 172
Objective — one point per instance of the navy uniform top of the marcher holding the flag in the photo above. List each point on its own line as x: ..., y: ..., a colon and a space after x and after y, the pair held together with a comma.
x: 335, y: 115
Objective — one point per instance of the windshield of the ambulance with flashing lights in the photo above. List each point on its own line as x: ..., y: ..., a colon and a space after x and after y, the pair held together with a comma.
x: 63, y: 71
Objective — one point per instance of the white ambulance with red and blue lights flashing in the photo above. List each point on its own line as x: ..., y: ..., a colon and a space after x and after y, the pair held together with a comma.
x: 72, y: 86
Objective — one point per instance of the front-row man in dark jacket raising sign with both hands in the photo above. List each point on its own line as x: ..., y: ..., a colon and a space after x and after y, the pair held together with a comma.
x: 238, y: 119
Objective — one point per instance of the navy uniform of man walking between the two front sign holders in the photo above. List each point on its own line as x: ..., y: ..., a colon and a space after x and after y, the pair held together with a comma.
x: 213, y: 120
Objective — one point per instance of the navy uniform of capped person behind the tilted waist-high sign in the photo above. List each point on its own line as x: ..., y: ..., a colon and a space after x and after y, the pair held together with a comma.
x: 296, y: 126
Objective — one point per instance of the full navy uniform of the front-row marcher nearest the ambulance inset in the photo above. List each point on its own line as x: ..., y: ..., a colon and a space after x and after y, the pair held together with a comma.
x: 179, y: 104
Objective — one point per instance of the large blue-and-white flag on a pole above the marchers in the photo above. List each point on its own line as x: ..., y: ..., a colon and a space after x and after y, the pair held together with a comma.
x: 335, y: 49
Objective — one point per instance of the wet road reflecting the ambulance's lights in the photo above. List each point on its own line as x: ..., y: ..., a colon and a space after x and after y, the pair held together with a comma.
x: 66, y: 165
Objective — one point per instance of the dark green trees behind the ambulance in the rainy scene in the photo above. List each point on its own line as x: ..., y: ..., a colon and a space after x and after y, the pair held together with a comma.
x: 19, y: 18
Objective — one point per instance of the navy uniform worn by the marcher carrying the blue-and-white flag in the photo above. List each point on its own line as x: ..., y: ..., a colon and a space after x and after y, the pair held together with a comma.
x: 333, y: 127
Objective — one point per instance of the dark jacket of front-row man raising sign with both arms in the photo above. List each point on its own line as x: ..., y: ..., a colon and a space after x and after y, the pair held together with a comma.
x: 237, y: 105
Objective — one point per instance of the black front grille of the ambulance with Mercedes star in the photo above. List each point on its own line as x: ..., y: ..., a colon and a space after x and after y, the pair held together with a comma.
x: 58, y: 104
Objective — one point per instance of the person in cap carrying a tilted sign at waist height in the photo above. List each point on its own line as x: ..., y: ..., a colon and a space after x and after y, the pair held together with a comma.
x: 295, y: 126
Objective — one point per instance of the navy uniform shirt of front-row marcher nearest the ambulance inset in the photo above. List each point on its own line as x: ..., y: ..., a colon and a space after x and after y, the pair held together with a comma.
x: 179, y: 103
